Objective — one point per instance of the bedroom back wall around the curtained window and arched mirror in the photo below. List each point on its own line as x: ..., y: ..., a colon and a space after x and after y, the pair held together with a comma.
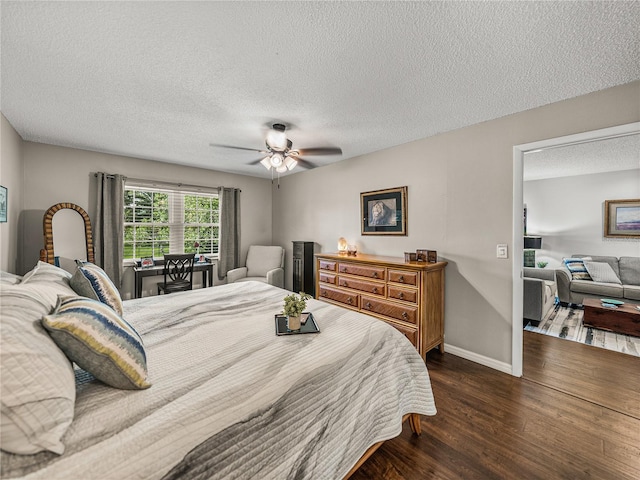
x: 57, y: 174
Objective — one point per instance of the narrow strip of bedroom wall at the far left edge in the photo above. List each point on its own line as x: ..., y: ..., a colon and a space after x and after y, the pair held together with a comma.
x: 11, y: 173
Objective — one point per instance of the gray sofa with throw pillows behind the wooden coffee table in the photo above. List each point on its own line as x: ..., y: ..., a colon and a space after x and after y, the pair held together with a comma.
x: 594, y: 280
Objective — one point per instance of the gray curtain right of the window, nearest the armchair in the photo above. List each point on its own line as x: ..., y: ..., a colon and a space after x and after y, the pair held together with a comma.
x: 229, y: 251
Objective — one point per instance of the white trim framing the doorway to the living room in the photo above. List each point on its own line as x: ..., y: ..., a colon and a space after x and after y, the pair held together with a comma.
x: 518, y: 223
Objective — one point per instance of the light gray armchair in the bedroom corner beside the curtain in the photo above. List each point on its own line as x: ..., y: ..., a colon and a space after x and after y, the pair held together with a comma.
x: 264, y: 264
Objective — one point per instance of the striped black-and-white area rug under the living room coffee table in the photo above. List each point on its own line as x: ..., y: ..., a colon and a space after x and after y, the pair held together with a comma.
x: 564, y: 322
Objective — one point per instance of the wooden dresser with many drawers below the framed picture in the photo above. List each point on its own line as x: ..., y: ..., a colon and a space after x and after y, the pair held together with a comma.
x: 407, y: 295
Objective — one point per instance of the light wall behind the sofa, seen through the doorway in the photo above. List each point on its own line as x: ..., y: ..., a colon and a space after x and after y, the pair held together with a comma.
x: 568, y: 212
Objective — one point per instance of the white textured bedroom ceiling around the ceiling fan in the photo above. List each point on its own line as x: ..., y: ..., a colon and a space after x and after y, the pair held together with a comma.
x: 163, y: 80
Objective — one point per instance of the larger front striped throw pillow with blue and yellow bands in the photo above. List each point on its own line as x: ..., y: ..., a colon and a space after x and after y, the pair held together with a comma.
x: 100, y: 341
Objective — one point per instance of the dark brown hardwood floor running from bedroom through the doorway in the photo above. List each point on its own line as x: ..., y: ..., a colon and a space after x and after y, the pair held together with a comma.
x: 575, y: 418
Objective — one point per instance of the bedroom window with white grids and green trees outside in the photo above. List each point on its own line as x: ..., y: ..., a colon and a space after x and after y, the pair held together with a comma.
x: 159, y: 221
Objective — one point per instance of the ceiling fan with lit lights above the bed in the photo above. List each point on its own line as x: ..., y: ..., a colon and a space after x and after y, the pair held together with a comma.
x: 280, y: 155
